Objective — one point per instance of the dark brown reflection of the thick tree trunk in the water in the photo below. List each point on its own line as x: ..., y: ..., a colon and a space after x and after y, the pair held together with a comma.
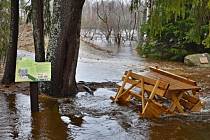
x: 47, y: 123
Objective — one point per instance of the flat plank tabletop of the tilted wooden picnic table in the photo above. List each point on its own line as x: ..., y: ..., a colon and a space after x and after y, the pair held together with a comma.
x: 175, y: 84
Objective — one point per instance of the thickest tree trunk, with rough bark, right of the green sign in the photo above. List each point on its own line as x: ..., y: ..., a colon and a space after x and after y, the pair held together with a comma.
x: 66, y: 47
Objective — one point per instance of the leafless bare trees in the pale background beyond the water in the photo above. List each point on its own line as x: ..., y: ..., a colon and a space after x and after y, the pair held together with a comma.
x: 115, y: 20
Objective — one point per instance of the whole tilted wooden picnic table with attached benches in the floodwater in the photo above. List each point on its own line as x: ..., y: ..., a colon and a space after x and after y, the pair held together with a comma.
x: 159, y: 92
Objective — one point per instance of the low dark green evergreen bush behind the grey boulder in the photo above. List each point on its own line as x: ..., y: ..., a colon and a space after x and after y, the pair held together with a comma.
x: 174, y: 42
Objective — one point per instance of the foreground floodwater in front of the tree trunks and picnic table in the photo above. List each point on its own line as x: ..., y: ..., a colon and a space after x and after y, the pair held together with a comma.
x: 88, y: 117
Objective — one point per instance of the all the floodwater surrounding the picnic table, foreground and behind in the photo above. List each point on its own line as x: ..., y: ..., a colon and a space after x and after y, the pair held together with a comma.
x: 88, y: 117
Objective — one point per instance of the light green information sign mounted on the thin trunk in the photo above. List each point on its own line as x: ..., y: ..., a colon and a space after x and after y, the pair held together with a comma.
x: 27, y: 70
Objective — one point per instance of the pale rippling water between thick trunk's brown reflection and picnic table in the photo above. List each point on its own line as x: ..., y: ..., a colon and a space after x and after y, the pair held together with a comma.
x: 103, y: 119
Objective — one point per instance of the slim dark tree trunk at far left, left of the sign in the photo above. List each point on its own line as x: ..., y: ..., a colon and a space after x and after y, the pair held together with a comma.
x: 9, y: 73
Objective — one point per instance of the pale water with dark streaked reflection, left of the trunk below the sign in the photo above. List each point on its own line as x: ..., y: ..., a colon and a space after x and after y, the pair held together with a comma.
x: 15, y: 117
